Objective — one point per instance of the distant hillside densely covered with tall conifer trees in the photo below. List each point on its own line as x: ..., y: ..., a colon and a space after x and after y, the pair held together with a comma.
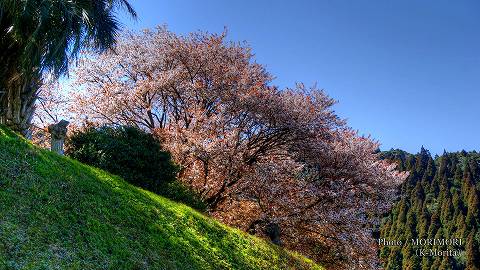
x: 439, y: 200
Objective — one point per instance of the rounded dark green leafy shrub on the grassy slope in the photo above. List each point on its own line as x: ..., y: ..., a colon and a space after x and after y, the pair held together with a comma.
x: 125, y: 151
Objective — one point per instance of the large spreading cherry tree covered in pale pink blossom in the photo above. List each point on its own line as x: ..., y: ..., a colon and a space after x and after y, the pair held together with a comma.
x: 275, y: 162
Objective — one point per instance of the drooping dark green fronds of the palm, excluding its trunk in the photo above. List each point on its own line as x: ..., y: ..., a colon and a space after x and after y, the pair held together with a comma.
x: 51, y: 33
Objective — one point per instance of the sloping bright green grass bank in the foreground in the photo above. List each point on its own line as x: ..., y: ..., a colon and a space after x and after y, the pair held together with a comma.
x: 56, y: 213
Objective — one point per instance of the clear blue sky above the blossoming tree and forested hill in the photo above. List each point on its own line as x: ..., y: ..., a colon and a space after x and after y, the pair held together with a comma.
x: 406, y: 71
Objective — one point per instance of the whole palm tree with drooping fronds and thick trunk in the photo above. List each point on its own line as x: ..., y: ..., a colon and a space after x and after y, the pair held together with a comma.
x: 43, y: 36
